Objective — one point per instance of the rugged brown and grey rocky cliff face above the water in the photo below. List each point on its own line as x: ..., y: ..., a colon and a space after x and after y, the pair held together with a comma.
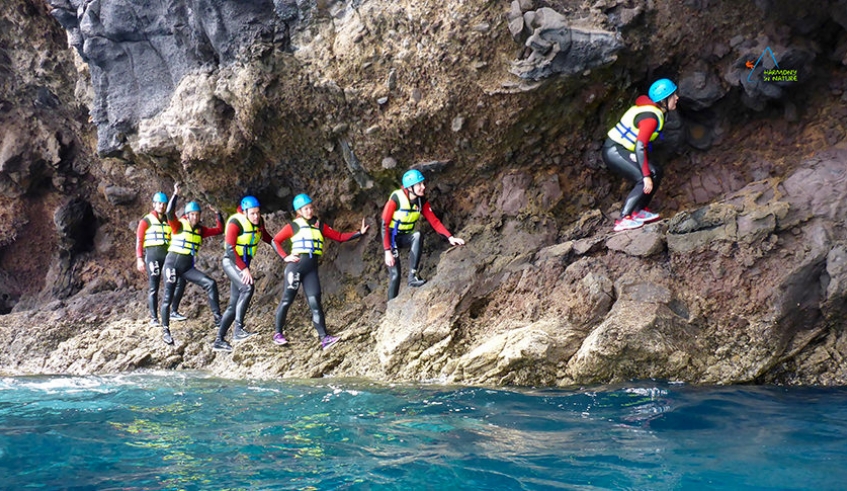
x: 504, y: 107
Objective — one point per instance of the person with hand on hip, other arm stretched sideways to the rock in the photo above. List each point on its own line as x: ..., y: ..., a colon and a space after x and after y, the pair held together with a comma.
x: 307, y: 235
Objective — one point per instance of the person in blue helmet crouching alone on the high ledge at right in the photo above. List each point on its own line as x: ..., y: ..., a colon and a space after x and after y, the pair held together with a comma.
x: 625, y: 152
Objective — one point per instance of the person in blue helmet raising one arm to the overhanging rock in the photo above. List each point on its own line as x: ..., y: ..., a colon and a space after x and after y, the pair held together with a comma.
x: 187, y: 237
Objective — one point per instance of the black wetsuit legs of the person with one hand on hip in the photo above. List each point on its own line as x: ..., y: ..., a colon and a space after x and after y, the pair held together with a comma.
x: 304, y: 272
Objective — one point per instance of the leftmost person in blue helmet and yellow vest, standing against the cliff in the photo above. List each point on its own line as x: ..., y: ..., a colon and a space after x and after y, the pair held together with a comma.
x: 151, y: 246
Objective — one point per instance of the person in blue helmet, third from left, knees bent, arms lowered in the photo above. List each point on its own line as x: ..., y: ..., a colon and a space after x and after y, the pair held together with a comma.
x: 244, y: 230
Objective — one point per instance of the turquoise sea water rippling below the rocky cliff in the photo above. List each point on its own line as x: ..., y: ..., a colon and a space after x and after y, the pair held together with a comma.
x: 189, y: 431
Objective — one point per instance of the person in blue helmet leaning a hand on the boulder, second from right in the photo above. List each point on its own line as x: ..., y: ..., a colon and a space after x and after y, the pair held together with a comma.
x: 399, y: 216
